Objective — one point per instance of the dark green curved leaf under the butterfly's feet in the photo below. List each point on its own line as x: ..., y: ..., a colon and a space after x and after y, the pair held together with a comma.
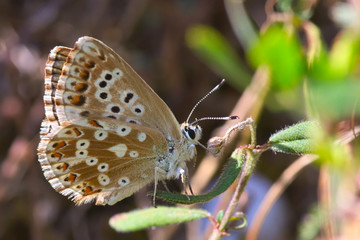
x: 231, y: 171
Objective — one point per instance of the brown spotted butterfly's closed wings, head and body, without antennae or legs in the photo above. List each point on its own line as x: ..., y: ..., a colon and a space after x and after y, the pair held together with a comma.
x: 106, y: 133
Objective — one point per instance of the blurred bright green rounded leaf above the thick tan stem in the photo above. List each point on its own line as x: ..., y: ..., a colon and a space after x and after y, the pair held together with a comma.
x: 280, y: 50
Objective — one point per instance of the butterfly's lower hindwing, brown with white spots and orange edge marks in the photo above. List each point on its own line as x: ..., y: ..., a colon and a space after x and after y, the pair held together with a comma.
x: 100, y: 159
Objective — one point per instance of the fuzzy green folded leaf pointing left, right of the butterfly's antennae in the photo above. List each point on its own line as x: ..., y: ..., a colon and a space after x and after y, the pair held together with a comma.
x: 296, y: 139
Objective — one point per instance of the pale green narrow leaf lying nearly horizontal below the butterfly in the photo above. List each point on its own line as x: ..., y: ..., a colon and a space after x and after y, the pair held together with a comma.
x: 150, y: 217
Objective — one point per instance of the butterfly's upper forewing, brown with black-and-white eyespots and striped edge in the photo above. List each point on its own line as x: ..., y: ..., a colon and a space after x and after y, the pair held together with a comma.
x: 92, y: 80
